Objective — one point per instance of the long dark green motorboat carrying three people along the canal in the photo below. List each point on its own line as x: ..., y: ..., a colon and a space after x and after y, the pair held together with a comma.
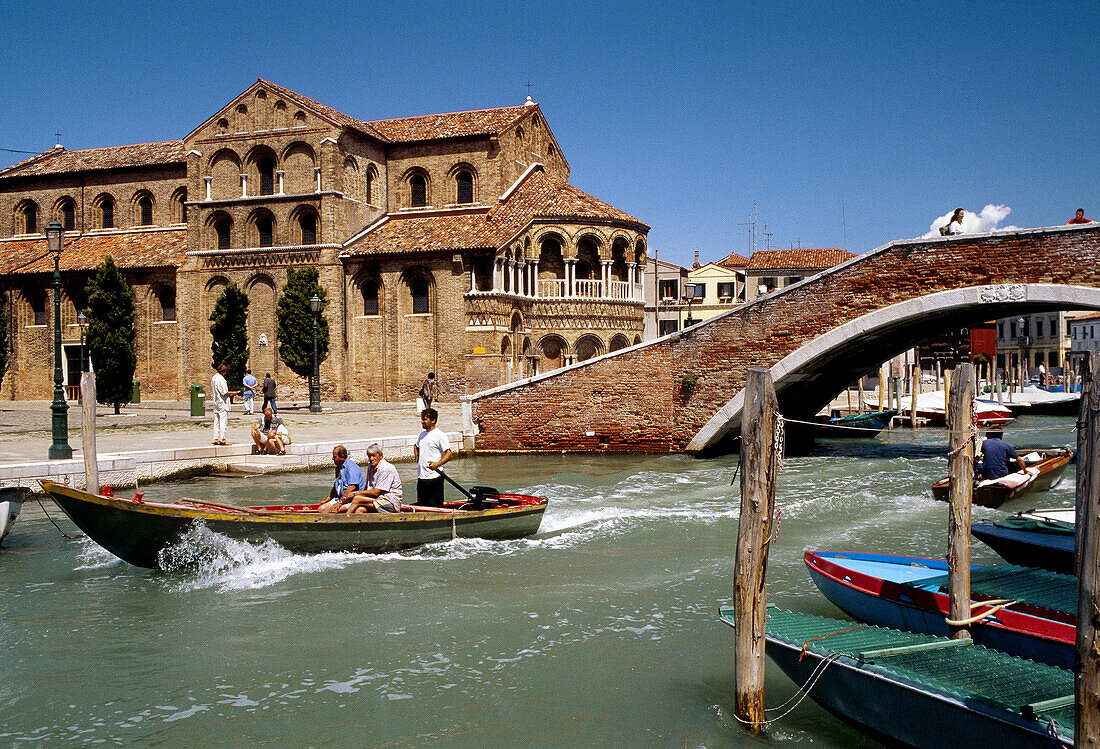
x: 138, y: 531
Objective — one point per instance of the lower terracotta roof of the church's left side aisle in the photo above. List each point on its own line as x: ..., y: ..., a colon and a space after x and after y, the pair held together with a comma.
x: 128, y: 249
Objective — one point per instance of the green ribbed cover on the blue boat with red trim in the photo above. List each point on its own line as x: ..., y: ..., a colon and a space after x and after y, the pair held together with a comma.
x: 1027, y: 585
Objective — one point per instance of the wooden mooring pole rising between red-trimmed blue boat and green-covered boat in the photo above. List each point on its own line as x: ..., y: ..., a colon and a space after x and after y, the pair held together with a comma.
x: 961, y: 494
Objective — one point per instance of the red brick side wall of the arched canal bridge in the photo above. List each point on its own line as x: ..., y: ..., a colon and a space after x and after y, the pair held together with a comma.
x: 636, y: 402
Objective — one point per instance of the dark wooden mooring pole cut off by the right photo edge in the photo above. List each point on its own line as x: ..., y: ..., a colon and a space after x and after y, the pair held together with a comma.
x: 1087, y: 688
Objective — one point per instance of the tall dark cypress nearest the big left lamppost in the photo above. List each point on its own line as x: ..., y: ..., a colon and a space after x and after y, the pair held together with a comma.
x: 111, y: 335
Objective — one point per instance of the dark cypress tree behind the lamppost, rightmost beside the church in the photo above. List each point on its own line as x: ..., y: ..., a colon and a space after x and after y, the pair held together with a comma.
x: 296, y: 322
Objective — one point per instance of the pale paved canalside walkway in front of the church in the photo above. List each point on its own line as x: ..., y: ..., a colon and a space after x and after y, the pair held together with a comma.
x: 157, y: 440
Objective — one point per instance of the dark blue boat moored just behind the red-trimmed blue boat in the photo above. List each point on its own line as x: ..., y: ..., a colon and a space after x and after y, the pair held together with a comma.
x: 1043, y: 538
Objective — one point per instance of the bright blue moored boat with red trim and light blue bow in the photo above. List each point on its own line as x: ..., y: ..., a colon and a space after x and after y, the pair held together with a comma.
x: 912, y: 593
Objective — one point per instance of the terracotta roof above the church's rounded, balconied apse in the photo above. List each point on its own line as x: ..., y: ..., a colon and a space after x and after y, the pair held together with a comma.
x: 538, y: 197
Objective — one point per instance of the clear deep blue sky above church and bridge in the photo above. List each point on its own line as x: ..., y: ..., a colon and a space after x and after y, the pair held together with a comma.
x: 848, y: 125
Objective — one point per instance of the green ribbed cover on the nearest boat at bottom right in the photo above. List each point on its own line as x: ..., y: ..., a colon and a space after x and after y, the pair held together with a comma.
x: 969, y: 673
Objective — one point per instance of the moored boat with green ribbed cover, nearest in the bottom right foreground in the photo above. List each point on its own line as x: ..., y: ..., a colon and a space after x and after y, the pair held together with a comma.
x: 920, y: 690
